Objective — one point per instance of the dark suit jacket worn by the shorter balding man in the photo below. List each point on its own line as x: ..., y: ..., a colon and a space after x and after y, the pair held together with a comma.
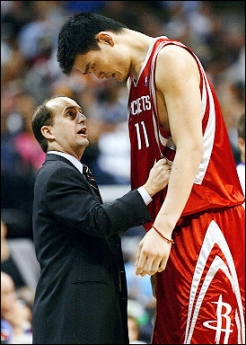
x: 81, y: 294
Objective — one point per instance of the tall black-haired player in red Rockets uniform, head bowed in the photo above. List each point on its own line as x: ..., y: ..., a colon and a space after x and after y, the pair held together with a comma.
x: 194, y: 248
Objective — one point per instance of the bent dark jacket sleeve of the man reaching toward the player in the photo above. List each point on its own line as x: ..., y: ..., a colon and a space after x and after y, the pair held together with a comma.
x: 67, y: 198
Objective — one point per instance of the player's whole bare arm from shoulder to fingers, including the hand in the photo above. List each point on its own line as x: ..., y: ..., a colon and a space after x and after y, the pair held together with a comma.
x: 177, y: 81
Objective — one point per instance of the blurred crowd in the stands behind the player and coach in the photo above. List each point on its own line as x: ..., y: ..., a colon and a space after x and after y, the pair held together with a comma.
x: 215, y: 31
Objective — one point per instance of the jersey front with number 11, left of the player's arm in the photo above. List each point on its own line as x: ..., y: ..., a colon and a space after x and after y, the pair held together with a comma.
x: 144, y: 127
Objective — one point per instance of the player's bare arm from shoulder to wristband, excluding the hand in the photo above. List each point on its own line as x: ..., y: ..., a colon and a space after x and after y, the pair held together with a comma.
x: 178, y: 80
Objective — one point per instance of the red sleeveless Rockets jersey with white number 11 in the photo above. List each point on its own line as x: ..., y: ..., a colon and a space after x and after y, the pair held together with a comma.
x: 216, y: 183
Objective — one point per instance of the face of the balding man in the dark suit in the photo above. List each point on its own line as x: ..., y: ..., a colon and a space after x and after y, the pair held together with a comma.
x: 68, y: 133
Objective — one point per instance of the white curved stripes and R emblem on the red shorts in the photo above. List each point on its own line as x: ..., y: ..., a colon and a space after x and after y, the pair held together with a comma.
x: 203, y: 279
